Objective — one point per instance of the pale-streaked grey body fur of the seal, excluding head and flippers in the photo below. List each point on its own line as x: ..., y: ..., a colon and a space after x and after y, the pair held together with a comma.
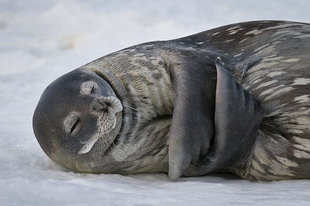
x: 269, y: 59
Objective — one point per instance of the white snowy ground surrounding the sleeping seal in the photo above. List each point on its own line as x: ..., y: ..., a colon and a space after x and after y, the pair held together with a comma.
x: 41, y: 40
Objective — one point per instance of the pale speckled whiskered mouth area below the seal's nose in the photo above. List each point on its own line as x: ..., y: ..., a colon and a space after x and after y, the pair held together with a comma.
x: 109, y: 131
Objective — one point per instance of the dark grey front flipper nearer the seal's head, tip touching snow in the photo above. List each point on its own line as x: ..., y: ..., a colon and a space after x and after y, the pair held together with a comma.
x: 192, y: 126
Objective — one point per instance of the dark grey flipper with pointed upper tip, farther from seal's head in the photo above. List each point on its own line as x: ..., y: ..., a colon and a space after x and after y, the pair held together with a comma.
x: 237, y: 120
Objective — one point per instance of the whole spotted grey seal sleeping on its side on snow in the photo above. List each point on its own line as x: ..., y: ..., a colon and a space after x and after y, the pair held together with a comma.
x: 232, y: 99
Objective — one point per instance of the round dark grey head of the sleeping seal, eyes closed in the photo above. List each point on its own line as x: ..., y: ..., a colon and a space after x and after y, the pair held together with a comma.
x: 77, y: 119
